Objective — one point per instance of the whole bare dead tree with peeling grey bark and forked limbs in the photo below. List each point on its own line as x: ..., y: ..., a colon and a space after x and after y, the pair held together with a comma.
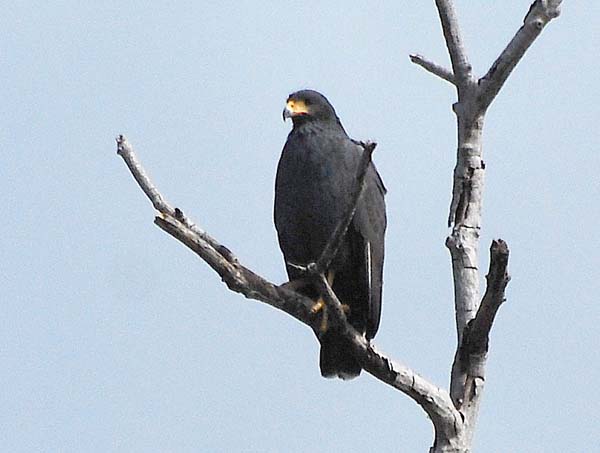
x: 453, y: 413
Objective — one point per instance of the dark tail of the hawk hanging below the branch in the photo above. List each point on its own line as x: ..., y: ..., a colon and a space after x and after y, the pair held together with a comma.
x: 336, y: 358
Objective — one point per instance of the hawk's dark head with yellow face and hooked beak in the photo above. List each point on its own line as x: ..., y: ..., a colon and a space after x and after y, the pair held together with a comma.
x: 308, y: 105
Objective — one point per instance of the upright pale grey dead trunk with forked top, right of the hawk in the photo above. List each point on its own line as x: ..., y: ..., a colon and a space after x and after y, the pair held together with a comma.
x: 474, y: 317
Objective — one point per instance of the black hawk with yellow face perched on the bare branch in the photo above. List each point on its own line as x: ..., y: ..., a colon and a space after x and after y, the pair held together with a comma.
x: 316, y: 174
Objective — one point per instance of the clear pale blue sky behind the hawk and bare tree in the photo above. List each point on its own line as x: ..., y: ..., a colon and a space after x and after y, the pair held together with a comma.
x: 116, y: 338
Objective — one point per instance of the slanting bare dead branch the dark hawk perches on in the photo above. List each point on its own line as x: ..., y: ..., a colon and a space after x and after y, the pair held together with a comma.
x: 435, y: 401
